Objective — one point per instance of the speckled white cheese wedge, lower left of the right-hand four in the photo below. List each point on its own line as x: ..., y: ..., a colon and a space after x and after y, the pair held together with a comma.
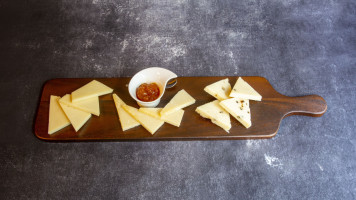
x: 216, y: 114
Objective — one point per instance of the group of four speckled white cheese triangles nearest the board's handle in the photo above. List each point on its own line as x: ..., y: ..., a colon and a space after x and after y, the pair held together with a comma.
x: 235, y: 102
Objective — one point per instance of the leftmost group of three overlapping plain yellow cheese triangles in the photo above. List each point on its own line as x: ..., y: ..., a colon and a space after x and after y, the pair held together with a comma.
x: 76, y: 108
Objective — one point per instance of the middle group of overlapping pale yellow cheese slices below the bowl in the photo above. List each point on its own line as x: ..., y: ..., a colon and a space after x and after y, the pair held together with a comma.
x: 153, y: 118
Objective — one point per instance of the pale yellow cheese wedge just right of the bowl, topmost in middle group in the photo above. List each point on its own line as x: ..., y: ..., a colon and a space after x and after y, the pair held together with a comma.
x: 181, y: 100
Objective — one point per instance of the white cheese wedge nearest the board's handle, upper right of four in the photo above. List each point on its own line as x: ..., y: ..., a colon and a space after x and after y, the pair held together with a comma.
x: 243, y: 90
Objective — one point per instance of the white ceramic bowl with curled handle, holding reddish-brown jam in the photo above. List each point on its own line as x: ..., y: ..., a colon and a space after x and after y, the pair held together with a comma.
x: 157, y: 75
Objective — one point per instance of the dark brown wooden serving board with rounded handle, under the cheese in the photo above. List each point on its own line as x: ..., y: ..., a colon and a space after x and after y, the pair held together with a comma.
x: 266, y: 115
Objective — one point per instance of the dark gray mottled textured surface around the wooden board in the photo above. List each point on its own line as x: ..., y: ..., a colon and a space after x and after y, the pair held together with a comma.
x: 301, y: 47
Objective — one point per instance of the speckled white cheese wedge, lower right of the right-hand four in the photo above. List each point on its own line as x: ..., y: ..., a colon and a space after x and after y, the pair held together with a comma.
x: 239, y: 109
